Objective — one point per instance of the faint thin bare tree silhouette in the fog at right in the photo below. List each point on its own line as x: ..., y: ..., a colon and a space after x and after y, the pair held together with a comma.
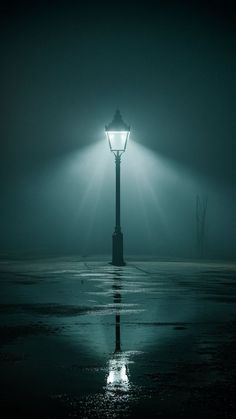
x: 201, y: 208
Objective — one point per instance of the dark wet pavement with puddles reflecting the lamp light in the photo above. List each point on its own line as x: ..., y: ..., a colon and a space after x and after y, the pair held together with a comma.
x: 84, y: 339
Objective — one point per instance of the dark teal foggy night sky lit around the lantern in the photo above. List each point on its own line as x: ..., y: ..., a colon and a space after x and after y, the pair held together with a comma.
x: 65, y: 68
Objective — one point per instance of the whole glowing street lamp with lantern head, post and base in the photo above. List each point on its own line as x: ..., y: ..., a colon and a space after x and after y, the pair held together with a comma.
x: 117, y: 134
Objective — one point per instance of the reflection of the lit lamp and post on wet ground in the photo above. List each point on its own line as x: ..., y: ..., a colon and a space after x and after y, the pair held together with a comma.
x: 117, y: 377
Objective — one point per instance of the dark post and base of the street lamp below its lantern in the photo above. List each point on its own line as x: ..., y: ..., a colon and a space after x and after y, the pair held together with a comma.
x: 117, y: 238
